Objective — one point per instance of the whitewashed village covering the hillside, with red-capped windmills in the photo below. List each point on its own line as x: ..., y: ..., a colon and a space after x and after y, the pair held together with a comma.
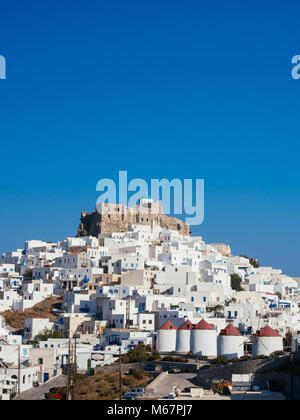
x: 180, y: 317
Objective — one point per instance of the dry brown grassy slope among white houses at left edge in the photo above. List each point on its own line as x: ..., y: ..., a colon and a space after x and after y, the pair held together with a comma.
x: 16, y: 319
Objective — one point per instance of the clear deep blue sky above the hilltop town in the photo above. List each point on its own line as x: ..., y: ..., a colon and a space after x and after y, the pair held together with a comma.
x: 192, y: 89
